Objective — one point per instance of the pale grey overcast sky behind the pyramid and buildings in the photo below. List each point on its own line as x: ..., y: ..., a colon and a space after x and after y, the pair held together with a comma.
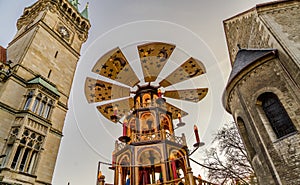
x: 195, y: 27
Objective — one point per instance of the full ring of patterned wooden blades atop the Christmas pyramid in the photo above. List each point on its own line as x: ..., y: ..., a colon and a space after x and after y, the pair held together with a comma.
x: 153, y: 57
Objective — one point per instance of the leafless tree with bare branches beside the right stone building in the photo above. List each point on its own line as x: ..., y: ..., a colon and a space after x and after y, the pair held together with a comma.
x: 227, y: 160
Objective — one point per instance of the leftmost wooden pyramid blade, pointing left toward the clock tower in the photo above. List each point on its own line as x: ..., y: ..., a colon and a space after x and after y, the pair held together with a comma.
x: 97, y: 90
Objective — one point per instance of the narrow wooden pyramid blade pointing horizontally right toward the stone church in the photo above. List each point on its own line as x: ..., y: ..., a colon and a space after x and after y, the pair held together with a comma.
x: 193, y: 95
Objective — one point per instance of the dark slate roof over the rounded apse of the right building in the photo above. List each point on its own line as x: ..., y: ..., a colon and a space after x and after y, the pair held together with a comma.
x: 246, y: 57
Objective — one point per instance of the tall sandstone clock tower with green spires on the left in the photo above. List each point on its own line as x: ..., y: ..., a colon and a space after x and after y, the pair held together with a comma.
x: 35, y: 83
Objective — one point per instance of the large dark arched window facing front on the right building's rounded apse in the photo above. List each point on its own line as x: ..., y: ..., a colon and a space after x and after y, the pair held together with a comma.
x: 279, y: 119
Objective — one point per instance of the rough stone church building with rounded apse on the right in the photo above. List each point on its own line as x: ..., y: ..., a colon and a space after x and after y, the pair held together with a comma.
x: 263, y: 90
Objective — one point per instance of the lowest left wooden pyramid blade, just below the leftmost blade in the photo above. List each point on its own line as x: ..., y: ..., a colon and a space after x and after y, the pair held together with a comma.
x: 116, y: 110
